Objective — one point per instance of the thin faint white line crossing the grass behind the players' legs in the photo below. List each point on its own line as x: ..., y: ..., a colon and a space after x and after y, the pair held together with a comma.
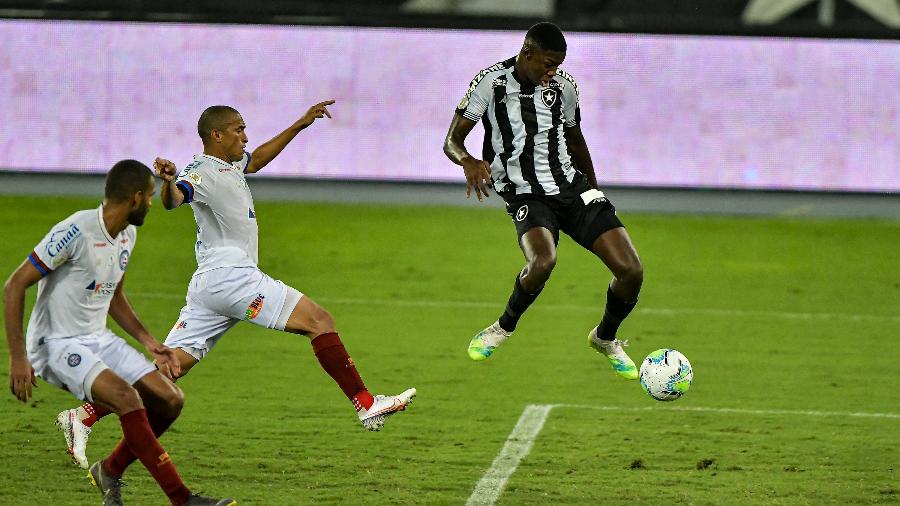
x: 572, y: 307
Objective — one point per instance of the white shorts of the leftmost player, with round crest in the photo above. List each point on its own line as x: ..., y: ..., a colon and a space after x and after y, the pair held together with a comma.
x: 73, y: 363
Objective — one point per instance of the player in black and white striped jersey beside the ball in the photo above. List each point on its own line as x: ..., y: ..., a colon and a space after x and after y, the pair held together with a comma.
x: 536, y: 159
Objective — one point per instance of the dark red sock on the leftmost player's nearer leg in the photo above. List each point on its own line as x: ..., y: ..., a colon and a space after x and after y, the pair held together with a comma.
x: 142, y: 442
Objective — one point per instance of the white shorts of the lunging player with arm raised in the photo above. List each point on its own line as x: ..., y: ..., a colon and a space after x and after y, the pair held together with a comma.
x: 218, y: 299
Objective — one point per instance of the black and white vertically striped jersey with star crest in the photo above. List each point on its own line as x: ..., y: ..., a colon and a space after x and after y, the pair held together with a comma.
x: 524, y: 140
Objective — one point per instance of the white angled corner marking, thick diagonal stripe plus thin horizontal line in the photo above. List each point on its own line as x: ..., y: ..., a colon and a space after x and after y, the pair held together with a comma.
x: 522, y: 438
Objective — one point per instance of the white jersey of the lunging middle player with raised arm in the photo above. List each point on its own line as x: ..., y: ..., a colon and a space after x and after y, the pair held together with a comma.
x: 227, y: 235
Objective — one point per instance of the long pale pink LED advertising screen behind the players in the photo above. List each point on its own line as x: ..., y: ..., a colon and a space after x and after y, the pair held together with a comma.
x: 657, y: 110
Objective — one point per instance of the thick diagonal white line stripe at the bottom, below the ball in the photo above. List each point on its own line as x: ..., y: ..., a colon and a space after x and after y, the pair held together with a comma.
x: 517, y: 446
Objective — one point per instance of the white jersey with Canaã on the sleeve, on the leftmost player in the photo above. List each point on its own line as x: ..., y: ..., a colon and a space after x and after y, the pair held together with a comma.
x: 81, y: 267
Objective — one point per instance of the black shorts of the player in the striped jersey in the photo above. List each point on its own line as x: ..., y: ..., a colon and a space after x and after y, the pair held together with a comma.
x: 583, y: 221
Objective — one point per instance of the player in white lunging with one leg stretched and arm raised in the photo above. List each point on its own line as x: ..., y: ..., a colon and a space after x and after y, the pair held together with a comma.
x: 227, y: 286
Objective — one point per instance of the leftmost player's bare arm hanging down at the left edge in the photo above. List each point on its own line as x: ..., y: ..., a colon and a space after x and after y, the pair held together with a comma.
x: 21, y: 374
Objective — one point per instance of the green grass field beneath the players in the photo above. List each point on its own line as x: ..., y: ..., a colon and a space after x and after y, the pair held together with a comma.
x: 790, y: 325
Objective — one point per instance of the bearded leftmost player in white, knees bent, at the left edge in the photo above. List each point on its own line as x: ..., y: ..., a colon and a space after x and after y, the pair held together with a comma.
x: 80, y: 270
